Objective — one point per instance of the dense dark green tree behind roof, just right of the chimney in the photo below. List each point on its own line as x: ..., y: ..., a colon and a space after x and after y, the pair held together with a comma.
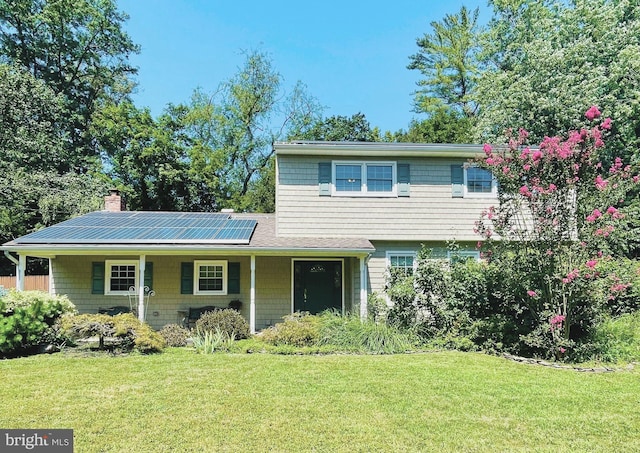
x: 149, y: 158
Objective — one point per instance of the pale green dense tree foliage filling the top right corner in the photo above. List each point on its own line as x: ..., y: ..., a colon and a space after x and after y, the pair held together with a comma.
x: 549, y: 61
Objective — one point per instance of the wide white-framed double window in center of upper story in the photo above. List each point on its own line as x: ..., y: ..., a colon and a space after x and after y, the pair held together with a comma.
x: 364, y: 178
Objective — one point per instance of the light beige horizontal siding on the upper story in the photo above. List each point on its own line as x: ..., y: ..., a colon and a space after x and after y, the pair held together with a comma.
x: 429, y: 214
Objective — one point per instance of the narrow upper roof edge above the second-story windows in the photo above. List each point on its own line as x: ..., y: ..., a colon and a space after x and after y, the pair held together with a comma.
x: 381, y: 149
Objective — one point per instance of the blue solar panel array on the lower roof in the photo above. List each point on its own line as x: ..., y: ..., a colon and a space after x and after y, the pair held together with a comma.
x: 146, y: 227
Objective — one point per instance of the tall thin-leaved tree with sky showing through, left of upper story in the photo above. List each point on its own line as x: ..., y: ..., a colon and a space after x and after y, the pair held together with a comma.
x: 233, y: 131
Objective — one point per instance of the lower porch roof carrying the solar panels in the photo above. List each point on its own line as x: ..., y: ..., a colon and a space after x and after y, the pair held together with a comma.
x: 132, y: 232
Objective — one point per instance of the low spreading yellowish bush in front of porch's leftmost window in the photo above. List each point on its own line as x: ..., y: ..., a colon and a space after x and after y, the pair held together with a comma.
x: 125, y: 330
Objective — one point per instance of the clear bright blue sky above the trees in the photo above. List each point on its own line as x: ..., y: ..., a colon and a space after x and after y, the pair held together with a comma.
x: 352, y: 55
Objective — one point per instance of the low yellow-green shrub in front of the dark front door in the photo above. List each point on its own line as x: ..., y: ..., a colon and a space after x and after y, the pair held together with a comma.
x: 297, y: 329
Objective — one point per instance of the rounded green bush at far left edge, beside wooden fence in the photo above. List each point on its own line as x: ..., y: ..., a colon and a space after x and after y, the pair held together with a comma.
x: 28, y: 321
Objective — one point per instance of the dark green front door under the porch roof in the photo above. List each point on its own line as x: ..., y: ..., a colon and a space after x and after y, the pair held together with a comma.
x: 317, y: 286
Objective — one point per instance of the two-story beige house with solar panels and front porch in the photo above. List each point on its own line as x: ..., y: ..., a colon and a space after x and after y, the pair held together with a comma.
x: 345, y: 212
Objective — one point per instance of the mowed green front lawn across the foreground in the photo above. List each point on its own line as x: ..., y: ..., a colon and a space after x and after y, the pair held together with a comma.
x: 181, y: 401
